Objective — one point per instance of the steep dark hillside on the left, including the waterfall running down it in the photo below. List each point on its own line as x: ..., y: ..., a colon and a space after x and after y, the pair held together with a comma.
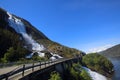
x: 20, y: 39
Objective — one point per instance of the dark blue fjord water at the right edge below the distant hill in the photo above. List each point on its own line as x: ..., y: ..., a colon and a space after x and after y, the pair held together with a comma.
x: 116, y: 63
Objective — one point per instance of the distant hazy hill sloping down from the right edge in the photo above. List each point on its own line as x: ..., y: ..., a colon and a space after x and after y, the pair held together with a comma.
x: 112, y: 52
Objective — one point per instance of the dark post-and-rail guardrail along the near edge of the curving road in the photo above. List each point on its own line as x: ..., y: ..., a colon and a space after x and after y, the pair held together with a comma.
x: 24, y: 67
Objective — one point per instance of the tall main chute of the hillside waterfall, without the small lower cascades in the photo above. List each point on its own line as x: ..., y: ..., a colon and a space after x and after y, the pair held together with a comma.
x: 19, y: 27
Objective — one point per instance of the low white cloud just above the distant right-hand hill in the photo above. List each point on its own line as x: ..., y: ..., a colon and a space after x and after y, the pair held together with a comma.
x: 98, y: 49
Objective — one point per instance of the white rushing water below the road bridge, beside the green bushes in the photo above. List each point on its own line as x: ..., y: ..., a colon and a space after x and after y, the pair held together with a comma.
x: 94, y: 75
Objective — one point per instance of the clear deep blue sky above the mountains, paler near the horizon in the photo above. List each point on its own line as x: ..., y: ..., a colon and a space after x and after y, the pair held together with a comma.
x: 88, y: 25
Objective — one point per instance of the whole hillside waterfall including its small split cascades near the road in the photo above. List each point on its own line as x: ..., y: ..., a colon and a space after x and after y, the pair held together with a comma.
x: 19, y: 27
